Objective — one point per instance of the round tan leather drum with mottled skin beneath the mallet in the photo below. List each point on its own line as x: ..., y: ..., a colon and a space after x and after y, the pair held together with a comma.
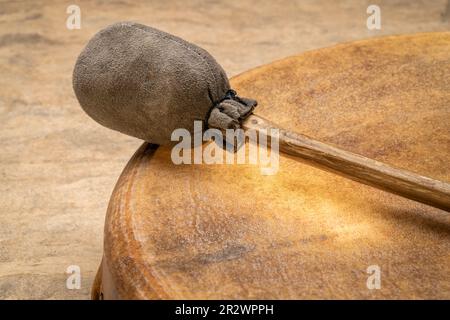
x: 229, y: 232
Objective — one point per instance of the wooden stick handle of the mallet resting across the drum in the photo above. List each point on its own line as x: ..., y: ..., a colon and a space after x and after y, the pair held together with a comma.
x: 355, y: 167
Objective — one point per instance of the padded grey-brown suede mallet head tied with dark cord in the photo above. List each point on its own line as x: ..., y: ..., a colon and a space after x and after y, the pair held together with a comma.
x: 146, y: 83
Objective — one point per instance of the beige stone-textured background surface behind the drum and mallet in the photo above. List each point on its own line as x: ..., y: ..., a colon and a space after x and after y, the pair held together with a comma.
x: 58, y: 167
